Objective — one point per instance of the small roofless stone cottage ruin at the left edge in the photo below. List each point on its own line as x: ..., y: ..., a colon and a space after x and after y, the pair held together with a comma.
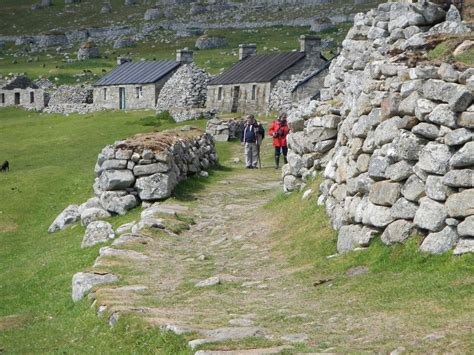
x: 22, y: 92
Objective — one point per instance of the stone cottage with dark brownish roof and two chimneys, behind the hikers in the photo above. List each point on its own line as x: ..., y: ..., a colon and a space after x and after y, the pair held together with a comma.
x: 246, y: 87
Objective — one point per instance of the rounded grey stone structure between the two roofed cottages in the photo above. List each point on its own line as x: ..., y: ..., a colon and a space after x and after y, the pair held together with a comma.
x: 186, y: 89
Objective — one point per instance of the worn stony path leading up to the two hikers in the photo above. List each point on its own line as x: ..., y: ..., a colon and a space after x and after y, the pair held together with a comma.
x: 229, y: 242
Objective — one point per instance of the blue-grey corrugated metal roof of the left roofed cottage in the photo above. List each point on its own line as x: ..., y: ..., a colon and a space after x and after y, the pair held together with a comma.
x: 145, y: 72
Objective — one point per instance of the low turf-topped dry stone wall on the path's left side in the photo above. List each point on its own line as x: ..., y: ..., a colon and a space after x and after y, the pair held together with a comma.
x: 144, y: 168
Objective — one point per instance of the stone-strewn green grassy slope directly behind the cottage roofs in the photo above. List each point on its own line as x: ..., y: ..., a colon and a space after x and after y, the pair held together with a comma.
x: 54, y: 66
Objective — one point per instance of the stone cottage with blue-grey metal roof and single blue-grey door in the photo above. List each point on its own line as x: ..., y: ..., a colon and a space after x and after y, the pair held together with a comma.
x: 137, y: 85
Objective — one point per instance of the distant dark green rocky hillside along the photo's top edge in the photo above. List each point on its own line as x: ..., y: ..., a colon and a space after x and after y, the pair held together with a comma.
x: 18, y: 16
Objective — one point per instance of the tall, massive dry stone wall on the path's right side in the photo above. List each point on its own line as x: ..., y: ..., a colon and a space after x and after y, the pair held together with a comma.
x: 393, y: 135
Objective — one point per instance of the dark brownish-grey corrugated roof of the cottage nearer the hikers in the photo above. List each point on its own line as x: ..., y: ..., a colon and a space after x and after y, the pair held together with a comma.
x: 258, y: 68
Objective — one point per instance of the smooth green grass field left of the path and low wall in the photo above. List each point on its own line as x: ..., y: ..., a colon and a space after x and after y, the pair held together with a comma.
x: 52, y: 159
